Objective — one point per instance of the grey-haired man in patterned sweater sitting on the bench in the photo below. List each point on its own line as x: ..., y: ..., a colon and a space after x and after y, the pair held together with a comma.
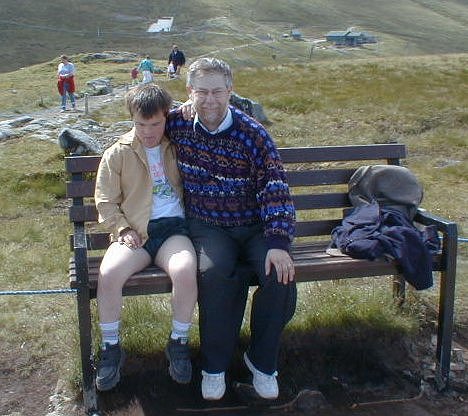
x: 238, y: 207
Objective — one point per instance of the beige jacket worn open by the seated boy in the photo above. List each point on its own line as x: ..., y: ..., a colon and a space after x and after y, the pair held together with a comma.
x: 124, y: 189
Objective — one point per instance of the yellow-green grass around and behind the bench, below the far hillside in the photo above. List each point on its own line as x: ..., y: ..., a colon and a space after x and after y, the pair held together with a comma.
x: 419, y: 101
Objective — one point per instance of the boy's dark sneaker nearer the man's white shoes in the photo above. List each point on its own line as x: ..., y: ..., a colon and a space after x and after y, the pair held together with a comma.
x: 178, y: 354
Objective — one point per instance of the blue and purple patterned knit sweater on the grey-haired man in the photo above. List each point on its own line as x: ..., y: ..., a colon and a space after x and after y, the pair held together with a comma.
x: 234, y: 178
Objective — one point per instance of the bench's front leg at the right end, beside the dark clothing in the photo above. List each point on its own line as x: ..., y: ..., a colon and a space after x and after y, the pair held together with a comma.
x: 446, y: 308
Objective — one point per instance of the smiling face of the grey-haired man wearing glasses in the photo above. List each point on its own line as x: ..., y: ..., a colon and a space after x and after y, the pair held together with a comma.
x: 210, y: 98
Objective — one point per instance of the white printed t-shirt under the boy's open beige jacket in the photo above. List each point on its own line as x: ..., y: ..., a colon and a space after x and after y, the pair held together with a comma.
x: 166, y: 203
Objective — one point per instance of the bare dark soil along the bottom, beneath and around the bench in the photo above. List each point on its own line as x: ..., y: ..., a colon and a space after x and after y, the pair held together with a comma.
x: 321, y: 374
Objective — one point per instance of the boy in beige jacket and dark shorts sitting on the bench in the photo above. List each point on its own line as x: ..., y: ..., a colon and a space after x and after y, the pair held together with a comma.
x: 139, y: 198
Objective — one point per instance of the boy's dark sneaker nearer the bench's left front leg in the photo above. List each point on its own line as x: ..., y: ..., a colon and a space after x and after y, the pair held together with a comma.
x: 108, y: 372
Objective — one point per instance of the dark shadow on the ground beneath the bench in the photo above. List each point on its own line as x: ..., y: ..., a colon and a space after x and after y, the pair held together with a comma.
x: 346, y: 368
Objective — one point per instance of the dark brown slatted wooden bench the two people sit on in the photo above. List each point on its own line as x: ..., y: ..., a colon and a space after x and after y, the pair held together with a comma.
x: 318, y: 177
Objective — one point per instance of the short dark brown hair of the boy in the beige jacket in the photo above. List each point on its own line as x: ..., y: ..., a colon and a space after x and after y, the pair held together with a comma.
x: 148, y: 100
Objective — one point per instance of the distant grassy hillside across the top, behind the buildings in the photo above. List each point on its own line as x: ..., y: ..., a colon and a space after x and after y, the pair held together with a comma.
x: 38, y: 31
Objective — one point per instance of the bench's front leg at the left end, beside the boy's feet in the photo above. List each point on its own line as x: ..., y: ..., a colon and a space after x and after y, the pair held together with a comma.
x: 84, y: 322
